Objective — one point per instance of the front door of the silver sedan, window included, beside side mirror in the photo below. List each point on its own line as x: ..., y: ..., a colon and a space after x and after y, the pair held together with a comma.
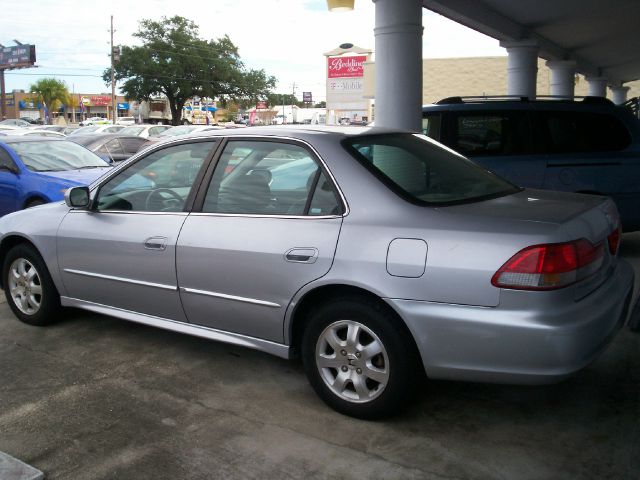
x: 121, y: 253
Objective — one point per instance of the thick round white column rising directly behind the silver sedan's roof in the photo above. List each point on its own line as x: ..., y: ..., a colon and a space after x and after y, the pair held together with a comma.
x: 398, y: 47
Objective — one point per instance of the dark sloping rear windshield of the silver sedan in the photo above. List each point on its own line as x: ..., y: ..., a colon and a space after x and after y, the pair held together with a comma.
x: 424, y: 172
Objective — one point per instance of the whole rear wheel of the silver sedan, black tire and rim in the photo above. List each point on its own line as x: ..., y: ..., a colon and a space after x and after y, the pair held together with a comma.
x: 397, y: 365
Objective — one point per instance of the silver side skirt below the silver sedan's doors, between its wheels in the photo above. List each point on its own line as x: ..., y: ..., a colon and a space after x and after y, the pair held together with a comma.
x: 273, y: 348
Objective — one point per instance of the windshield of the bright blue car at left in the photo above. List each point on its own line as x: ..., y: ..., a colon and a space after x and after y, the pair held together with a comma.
x: 56, y: 156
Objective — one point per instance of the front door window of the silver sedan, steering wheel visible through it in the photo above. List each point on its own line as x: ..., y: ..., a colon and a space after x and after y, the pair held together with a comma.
x: 159, y: 182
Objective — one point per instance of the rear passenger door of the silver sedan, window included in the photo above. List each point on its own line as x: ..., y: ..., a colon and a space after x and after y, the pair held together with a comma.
x: 268, y: 225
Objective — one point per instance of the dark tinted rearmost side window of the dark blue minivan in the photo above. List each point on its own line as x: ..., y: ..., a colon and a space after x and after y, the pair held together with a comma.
x: 577, y: 132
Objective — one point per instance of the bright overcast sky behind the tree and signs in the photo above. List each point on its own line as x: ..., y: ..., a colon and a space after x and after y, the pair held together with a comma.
x: 287, y: 38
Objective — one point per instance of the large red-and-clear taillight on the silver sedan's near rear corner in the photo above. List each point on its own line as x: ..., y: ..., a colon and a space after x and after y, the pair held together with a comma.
x: 550, y: 266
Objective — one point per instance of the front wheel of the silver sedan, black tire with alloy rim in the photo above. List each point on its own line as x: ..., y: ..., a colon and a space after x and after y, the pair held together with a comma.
x: 40, y: 308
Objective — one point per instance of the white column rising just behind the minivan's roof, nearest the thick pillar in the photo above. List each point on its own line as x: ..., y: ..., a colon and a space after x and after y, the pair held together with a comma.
x: 522, y: 67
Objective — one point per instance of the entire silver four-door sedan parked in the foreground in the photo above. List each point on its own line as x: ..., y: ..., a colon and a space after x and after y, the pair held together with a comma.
x: 374, y: 255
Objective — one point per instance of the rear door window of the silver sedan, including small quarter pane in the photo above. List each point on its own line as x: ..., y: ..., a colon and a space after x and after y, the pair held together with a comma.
x: 270, y: 178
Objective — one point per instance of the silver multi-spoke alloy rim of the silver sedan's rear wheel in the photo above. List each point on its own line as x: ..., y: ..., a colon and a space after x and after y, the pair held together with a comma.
x: 352, y: 361
